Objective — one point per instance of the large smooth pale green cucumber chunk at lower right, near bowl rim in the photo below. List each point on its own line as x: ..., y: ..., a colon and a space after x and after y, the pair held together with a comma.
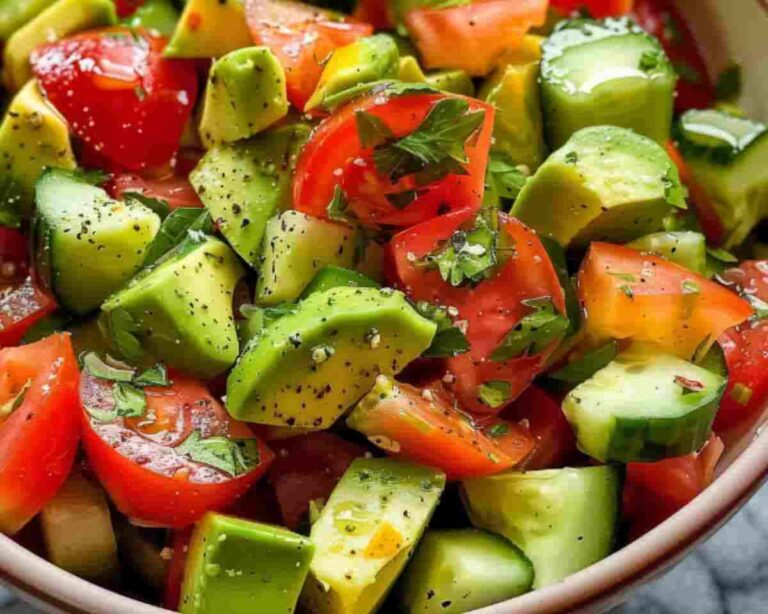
x: 563, y: 519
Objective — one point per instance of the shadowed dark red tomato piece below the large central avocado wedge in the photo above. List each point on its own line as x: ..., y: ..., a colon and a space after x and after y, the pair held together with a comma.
x: 308, y: 468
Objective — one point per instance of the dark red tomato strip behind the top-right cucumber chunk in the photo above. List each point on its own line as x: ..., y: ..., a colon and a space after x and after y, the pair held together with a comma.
x: 662, y: 19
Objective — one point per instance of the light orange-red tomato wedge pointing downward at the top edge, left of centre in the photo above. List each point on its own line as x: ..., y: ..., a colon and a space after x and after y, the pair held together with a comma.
x: 302, y: 37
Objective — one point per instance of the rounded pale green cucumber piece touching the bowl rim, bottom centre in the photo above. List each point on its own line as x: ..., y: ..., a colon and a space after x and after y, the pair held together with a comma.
x: 458, y: 570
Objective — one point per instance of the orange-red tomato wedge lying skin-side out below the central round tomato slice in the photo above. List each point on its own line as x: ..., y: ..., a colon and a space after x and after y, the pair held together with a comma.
x: 426, y: 427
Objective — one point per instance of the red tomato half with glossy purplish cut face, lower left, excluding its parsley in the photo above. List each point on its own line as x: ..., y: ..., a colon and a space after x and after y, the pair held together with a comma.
x: 143, y: 494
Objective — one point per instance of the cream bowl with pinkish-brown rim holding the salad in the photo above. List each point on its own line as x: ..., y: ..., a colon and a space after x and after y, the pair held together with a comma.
x: 735, y: 31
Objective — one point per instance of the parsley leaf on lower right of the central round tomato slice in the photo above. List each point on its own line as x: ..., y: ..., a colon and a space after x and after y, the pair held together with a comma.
x: 534, y: 332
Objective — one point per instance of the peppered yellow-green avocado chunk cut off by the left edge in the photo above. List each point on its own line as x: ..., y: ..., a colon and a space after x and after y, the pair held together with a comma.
x: 32, y: 137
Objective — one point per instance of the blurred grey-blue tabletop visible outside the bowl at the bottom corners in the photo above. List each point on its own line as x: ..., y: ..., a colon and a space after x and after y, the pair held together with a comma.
x: 726, y: 575
